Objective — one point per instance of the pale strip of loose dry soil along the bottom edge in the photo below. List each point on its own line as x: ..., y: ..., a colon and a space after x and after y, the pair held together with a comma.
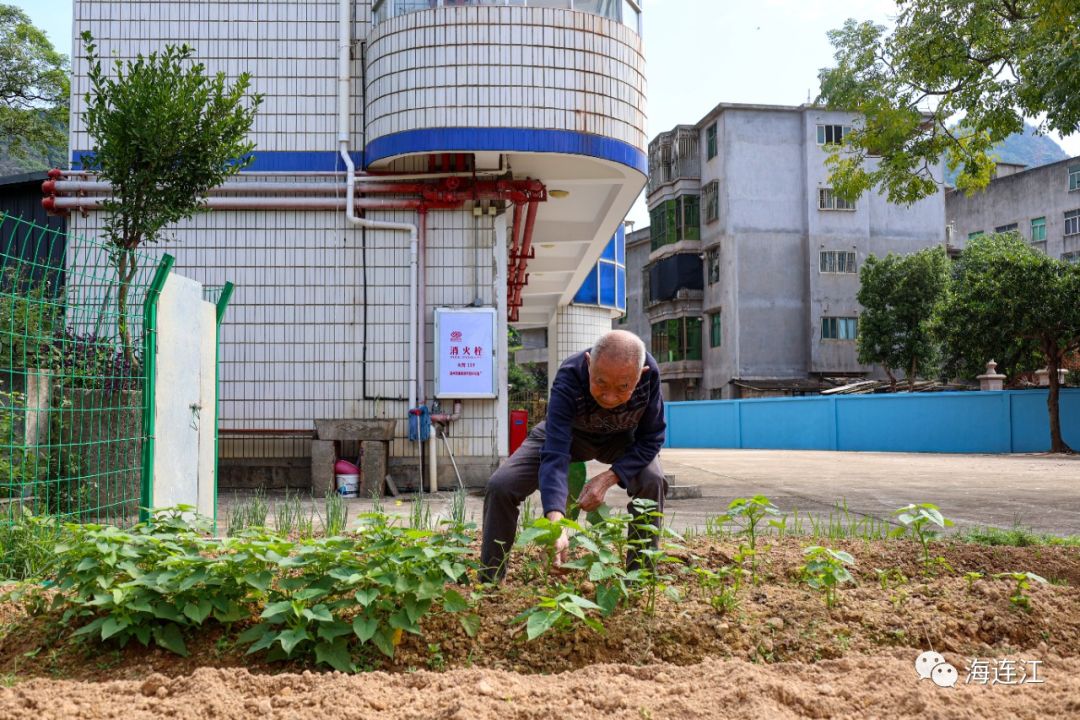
x: 860, y: 687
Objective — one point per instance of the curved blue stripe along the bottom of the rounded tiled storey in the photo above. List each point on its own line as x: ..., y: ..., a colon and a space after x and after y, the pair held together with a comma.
x: 507, y: 140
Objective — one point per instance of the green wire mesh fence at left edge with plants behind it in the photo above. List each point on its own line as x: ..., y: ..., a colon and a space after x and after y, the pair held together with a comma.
x: 73, y: 375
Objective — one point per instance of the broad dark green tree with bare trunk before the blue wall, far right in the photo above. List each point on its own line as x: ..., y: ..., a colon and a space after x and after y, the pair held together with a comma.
x: 1008, y: 298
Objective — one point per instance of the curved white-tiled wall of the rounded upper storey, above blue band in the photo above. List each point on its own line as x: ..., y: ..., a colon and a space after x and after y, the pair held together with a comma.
x: 439, y: 70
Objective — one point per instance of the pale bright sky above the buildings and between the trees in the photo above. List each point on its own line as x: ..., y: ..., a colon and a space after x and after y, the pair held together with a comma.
x: 699, y: 53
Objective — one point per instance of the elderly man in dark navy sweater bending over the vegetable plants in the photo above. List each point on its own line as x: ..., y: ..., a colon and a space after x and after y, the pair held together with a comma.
x: 605, y: 405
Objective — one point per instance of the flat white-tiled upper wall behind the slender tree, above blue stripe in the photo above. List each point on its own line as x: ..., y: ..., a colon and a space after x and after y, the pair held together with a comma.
x: 288, y: 47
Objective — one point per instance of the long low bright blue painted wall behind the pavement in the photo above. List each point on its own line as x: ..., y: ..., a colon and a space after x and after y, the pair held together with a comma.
x: 992, y: 423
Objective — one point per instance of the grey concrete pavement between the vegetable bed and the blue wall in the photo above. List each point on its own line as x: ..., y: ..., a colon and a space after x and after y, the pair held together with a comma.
x: 1037, y: 492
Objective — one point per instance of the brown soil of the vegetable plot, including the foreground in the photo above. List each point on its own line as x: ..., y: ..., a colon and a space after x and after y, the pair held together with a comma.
x: 780, y: 654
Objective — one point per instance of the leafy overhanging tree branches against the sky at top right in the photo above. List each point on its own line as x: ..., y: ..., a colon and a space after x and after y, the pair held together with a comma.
x: 991, y: 62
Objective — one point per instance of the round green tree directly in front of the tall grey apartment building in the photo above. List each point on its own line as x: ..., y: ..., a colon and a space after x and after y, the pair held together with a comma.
x: 899, y: 295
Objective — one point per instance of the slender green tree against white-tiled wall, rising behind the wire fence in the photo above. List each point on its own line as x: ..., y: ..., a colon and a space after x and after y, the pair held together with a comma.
x: 164, y: 134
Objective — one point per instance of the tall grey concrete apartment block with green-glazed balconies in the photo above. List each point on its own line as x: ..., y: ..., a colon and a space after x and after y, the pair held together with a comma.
x: 751, y: 277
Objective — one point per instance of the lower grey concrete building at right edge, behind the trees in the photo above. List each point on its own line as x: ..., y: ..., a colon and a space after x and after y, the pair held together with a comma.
x: 1043, y: 205
